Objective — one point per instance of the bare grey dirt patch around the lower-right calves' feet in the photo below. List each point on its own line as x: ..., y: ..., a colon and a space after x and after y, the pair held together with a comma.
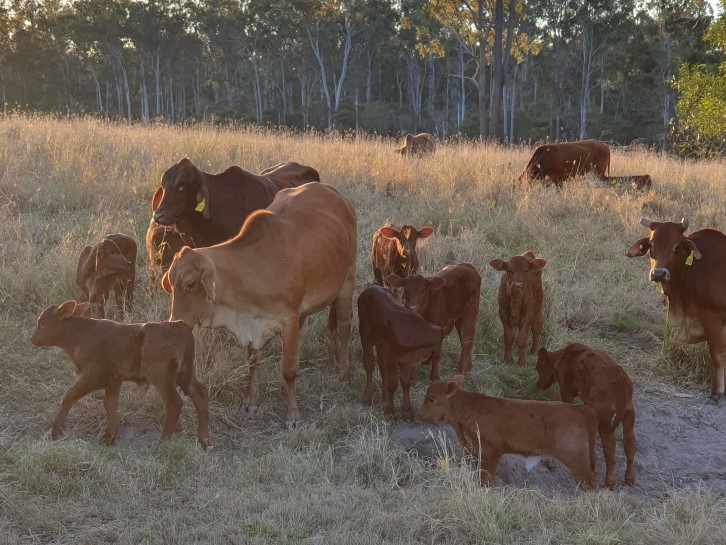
x: 680, y: 443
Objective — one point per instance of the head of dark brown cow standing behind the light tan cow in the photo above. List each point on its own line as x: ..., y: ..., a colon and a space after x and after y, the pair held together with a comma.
x: 184, y: 192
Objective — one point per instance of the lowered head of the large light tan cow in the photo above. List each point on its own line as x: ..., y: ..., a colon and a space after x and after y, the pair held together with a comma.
x: 190, y: 281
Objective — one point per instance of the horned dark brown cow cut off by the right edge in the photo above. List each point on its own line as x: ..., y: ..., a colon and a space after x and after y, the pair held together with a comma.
x: 691, y: 271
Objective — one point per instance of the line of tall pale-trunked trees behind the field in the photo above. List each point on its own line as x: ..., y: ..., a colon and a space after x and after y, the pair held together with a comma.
x: 508, y: 70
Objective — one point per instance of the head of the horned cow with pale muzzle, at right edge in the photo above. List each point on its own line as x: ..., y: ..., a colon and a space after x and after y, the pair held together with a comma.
x: 668, y: 247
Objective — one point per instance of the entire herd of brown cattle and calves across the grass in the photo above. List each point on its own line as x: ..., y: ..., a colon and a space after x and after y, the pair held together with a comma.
x: 258, y: 254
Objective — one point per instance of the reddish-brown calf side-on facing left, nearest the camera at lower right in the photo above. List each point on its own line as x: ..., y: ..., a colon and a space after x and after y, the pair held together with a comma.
x: 489, y: 426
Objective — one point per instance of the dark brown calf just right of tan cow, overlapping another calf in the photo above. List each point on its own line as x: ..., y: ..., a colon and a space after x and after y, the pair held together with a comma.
x: 402, y: 340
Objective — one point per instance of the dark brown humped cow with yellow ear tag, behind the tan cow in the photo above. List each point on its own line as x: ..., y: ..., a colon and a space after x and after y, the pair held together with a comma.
x: 211, y: 208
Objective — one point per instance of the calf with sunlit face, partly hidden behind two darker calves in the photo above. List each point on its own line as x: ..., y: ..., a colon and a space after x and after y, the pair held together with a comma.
x: 394, y: 251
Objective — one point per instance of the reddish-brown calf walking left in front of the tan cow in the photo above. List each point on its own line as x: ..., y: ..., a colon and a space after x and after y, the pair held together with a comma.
x: 104, y: 354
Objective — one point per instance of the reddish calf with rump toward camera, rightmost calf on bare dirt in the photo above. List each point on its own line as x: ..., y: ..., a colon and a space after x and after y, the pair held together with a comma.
x: 603, y: 385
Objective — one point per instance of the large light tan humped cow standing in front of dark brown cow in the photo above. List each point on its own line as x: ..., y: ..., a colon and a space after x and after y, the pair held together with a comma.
x: 289, y: 261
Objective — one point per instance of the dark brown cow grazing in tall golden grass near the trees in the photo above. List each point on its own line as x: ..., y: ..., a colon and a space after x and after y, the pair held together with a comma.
x: 568, y: 159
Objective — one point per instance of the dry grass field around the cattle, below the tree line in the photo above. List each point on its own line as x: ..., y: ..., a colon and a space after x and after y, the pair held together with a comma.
x: 343, y: 478
